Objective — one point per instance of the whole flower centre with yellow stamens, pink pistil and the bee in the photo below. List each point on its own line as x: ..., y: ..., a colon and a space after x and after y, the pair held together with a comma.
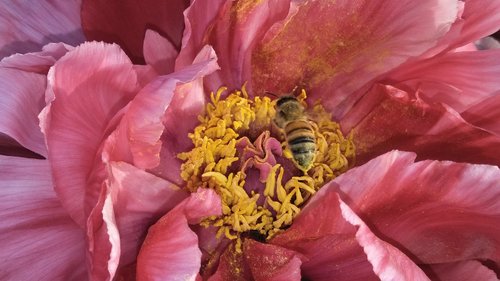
x: 252, y: 155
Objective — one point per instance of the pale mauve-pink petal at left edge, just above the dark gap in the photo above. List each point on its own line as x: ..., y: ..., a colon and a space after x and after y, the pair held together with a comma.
x: 21, y: 100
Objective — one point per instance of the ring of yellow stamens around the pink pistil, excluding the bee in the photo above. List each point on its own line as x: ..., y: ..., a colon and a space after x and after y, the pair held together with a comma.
x: 213, y: 163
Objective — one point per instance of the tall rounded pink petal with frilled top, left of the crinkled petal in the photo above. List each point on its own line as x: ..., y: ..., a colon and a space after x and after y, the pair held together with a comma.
x: 87, y: 87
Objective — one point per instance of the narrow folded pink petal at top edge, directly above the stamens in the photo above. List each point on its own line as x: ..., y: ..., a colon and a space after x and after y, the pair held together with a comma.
x: 233, y: 29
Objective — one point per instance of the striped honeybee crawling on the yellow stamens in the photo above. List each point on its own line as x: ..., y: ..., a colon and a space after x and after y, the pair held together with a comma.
x: 299, y: 135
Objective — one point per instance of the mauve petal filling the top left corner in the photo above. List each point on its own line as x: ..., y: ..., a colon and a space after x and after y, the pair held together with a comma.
x: 26, y: 26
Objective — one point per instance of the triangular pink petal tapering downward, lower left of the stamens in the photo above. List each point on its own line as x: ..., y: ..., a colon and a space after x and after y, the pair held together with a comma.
x: 139, y: 199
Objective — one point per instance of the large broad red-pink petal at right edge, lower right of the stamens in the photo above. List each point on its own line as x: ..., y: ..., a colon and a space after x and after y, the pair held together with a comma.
x: 434, y: 211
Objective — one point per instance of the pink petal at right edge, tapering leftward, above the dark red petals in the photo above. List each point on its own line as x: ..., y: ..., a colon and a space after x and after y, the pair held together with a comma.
x: 458, y: 79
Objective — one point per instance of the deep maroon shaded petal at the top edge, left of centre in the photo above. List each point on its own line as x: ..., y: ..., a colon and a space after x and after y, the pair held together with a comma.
x: 126, y: 22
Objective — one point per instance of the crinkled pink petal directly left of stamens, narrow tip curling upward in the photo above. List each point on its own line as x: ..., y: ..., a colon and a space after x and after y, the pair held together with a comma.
x: 151, y: 123
